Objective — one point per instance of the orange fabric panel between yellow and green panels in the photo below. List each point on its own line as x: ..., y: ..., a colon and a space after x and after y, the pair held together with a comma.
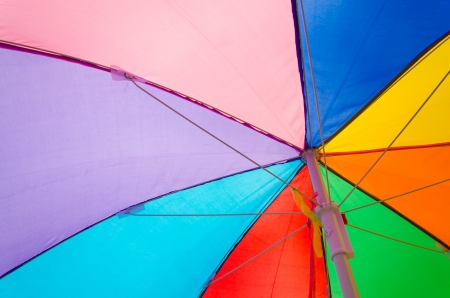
x: 402, y: 170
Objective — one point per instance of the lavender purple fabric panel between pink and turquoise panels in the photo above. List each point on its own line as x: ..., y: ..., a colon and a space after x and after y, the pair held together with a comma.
x: 77, y: 147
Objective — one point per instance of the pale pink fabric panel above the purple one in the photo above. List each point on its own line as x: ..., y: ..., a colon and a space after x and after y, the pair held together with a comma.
x: 238, y: 56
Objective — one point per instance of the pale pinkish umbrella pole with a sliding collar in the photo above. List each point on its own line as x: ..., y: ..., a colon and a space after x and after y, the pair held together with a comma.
x: 334, y: 228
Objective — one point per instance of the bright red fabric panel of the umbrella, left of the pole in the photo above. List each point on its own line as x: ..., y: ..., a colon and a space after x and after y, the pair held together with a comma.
x: 284, y: 271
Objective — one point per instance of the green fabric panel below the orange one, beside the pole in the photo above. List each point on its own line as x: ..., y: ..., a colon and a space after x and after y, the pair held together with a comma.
x: 383, y: 267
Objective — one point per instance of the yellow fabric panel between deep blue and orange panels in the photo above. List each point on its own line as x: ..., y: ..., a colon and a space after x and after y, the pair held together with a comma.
x: 379, y: 124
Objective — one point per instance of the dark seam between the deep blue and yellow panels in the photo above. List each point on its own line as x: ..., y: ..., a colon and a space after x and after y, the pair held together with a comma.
x: 419, y: 58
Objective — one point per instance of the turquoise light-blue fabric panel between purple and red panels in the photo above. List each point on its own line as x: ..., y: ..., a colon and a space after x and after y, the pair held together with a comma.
x: 152, y: 256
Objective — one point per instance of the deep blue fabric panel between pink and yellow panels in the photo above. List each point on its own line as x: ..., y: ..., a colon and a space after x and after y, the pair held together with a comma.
x: 357, y: 47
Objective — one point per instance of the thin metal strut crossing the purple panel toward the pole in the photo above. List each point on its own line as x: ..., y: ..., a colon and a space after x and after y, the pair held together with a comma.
x: 221, y: 141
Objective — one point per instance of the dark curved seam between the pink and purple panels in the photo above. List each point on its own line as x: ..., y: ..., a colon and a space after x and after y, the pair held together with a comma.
x: 72, y: 59
